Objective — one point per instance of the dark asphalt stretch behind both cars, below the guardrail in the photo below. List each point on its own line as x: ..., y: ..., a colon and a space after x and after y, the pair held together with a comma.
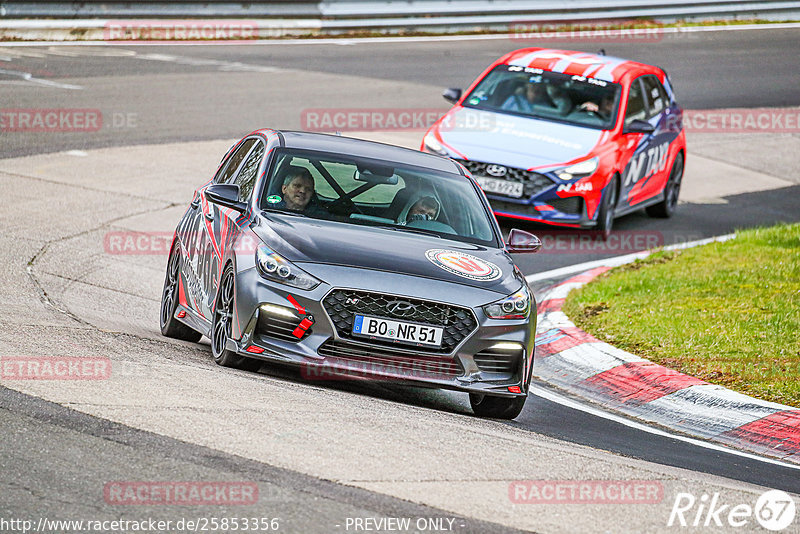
x: 195, y: 92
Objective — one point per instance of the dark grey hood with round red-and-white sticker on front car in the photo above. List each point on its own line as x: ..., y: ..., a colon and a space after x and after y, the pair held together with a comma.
x: 309, y: 241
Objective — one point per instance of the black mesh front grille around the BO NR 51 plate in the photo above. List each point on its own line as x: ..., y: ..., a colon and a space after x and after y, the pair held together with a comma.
x: 343, y: 304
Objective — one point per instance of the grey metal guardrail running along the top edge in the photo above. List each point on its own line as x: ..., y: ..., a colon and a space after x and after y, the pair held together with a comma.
x: 293, y: 17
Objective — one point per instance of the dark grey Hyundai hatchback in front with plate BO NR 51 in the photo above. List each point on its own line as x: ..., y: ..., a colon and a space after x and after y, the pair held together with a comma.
x: 354, y: 260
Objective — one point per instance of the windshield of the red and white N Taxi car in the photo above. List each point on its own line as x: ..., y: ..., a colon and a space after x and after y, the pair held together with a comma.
x: 533, y: 92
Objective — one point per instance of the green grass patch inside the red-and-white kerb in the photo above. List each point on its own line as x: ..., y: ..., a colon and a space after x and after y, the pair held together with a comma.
x: 728, y: 313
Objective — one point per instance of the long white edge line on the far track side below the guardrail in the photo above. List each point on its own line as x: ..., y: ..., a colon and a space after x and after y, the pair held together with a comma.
x: 409, y: 39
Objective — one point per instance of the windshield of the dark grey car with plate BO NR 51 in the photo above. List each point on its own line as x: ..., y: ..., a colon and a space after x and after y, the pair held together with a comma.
x: 363, y: 191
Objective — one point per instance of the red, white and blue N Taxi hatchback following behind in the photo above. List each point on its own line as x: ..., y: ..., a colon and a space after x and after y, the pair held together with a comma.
x: 567, y: 138
